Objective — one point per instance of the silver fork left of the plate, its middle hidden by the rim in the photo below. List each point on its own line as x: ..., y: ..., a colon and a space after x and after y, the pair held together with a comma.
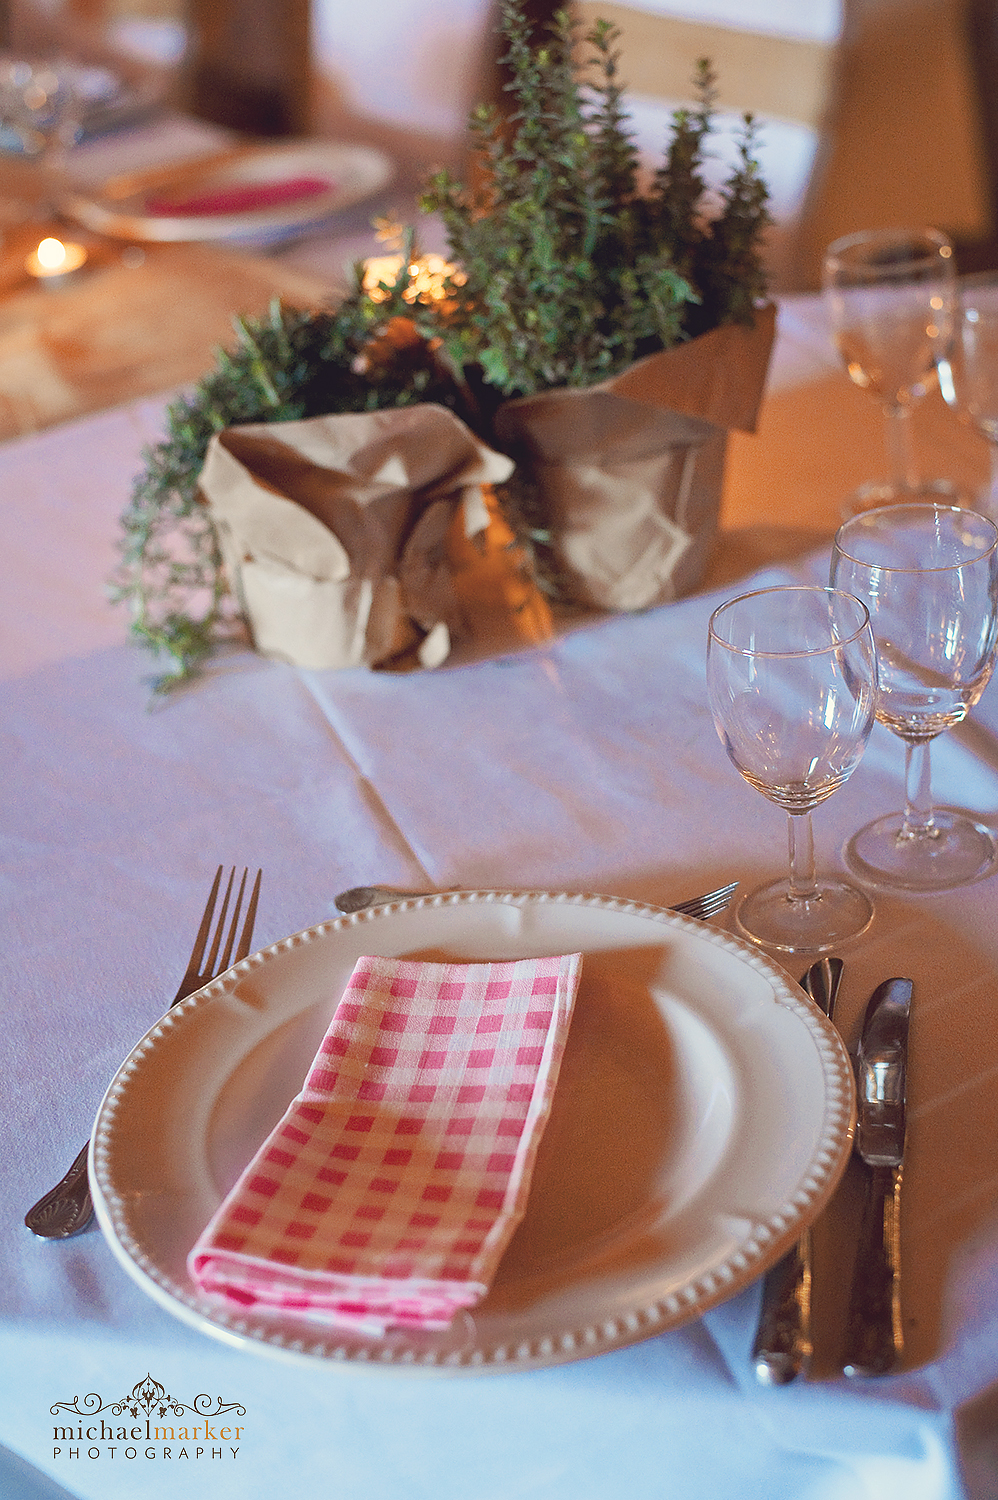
x: 68, y: 1208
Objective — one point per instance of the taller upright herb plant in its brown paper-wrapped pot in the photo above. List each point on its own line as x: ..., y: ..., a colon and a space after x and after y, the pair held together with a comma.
x: 615, y: 331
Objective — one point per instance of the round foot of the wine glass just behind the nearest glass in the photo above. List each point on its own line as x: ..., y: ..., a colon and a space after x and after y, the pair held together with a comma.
x: 958, y: 851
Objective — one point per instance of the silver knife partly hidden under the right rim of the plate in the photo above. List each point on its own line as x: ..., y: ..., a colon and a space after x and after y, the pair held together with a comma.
x: 783, y: 1346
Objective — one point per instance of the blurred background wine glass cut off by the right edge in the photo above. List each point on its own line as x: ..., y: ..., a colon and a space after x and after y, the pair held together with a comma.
x: 969, y: 379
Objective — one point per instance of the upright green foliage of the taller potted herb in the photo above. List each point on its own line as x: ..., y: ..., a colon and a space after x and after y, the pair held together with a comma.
x: 571, y: 271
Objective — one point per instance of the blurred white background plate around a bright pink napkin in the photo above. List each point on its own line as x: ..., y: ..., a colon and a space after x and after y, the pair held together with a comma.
x: 329, y: 178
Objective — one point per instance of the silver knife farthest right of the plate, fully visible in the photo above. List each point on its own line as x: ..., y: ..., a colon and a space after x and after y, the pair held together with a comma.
x: 874, y: 1331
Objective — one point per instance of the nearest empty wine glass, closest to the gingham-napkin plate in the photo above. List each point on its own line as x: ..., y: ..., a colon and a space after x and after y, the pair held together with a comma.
x: 792, y: 682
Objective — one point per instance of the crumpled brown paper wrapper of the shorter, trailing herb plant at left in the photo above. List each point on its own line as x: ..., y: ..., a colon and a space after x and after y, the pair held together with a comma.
x: 334, y: 532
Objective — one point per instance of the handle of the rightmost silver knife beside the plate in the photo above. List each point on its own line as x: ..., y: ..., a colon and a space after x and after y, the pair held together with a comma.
x: 874, y: 1331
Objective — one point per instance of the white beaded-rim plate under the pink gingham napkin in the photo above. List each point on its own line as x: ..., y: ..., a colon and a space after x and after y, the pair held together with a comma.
x: 703, y: 1117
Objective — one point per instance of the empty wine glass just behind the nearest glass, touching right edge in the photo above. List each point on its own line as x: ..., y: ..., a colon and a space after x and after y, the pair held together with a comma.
x: 930, y: 578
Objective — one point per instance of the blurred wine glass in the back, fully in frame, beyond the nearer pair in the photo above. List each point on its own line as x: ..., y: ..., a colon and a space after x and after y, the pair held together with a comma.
x: 892, y: 304
